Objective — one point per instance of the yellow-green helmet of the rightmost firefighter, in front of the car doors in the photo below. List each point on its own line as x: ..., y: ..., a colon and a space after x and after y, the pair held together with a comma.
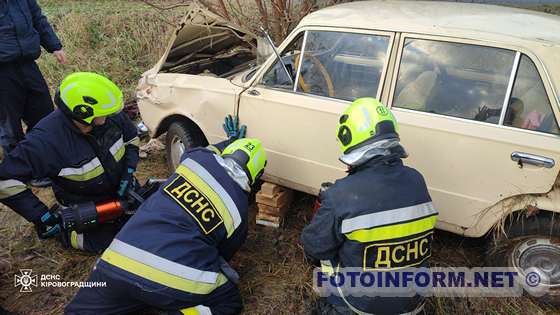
x: 366, y: 120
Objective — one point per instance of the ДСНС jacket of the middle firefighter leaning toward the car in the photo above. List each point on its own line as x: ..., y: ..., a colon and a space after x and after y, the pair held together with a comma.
x: 183, y: 234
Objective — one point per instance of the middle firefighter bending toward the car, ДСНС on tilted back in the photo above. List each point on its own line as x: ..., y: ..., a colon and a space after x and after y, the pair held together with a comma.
x: 172, y: 254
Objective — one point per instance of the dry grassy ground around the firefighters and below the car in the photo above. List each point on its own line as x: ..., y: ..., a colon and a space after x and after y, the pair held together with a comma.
x: 275, y: 278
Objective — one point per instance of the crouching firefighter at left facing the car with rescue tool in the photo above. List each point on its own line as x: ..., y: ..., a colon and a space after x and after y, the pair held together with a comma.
x: 87, y: 147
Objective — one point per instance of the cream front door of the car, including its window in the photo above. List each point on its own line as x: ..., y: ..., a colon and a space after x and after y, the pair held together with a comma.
x: 297, y: 123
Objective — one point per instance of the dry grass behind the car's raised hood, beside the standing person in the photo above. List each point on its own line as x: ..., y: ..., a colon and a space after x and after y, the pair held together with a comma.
x: 120, y: 39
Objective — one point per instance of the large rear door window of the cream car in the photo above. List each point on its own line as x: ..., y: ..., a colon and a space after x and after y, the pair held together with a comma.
x: 453, y: 79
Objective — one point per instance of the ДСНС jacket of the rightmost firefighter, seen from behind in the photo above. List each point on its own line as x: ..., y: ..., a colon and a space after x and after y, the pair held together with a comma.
x: 379, y: 217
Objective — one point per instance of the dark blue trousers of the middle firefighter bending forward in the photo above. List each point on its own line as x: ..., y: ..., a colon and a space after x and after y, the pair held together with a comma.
x: 124, y: 296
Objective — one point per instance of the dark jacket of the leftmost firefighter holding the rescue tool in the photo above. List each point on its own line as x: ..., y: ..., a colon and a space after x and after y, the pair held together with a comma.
x: 82, y: 167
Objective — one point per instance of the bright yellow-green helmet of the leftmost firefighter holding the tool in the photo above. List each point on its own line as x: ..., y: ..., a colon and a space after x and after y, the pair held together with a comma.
x: 84, y: 96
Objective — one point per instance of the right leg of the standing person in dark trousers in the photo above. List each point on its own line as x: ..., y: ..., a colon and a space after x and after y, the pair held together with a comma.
x: 38, y: 103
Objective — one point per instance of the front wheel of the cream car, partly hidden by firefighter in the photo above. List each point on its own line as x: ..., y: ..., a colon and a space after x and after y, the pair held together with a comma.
x: 180, y: 137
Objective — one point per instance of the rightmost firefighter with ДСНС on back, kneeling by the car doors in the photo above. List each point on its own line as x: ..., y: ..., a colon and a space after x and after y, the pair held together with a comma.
x: 379, y: 217
